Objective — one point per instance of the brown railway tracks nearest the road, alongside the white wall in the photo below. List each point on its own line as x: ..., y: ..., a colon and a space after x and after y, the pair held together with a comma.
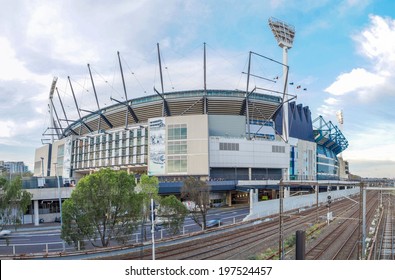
x: 238, y: 243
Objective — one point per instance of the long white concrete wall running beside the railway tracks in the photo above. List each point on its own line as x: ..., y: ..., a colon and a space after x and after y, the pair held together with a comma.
x: 270, y: 207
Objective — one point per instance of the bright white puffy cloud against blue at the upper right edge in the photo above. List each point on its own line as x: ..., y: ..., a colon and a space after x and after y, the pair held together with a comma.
x: 376, y: 43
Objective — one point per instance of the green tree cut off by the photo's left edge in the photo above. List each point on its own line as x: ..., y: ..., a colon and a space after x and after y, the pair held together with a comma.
x: 13, y: 201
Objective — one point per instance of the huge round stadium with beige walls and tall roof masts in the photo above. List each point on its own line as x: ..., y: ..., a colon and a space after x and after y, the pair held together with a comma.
x: 242, y: 142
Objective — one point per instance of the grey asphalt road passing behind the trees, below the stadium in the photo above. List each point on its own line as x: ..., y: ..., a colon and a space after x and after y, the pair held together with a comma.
x: 46, y: 238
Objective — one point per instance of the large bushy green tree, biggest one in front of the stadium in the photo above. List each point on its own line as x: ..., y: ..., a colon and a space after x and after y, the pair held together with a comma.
x: 103, y: 206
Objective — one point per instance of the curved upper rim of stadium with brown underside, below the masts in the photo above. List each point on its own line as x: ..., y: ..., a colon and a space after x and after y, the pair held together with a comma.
x: 139, y: 110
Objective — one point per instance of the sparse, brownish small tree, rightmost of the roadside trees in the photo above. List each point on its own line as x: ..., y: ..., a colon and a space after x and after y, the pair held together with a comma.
x: 198, y: 193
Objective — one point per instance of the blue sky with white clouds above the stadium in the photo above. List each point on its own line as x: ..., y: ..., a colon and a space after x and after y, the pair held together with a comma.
x: 343, y: 54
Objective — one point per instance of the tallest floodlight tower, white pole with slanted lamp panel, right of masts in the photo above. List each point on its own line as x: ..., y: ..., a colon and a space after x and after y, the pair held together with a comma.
x: 284, y: 34
